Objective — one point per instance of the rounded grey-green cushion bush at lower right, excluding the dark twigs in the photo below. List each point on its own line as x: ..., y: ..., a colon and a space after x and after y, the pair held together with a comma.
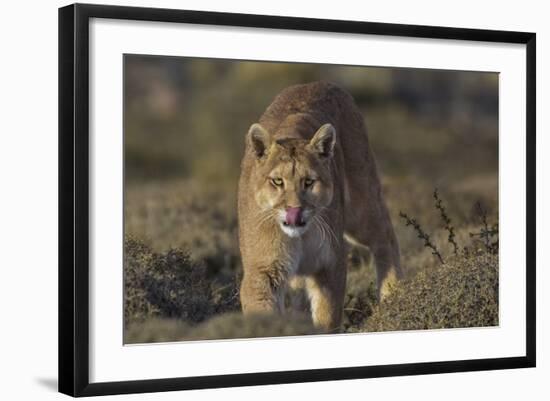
x: 460, y: 293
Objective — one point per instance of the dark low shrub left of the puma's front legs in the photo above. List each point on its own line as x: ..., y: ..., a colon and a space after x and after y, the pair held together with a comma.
x: 171, y: 285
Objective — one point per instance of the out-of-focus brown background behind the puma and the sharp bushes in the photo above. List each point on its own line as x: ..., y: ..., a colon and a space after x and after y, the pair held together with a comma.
x: 184, y: 126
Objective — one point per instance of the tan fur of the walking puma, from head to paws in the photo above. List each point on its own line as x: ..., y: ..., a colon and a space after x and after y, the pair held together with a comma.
x: 310, y: 131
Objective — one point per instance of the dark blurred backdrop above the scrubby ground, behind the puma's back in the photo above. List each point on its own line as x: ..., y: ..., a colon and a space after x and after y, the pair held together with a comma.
x: 181, y: 114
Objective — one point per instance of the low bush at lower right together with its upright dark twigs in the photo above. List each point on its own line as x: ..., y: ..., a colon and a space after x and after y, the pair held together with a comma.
x: 461, y: 290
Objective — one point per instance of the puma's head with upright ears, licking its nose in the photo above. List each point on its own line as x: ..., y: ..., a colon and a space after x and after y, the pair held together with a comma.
x: 291, y: 180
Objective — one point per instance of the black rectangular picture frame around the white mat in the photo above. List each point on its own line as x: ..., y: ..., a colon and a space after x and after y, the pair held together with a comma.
x: 74, y: 191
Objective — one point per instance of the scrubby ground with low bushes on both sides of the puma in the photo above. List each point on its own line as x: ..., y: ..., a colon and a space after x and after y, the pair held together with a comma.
x: 172, y: 294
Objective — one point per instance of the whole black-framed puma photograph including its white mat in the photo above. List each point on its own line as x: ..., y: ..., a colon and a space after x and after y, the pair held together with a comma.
x: 251, y: 199
